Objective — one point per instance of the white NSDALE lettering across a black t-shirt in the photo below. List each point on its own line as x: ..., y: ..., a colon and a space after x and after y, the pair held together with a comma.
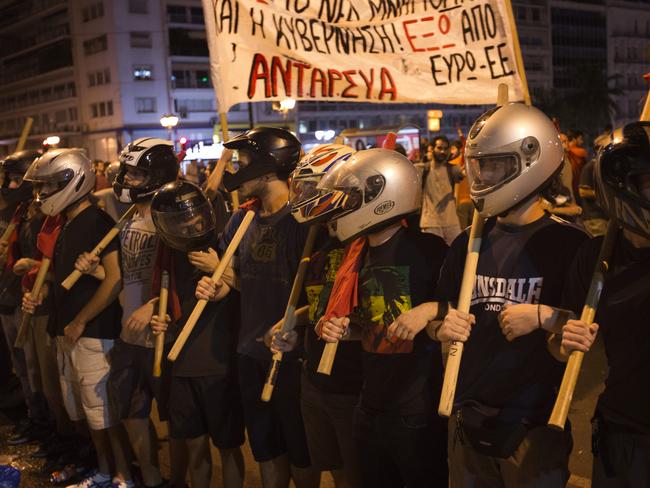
x: 495, y: 292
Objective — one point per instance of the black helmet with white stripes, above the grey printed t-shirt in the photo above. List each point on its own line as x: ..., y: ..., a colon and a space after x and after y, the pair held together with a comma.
x: 155, y: 158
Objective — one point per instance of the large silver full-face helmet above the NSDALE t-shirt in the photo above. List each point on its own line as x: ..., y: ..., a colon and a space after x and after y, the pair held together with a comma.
x: 512, y: 152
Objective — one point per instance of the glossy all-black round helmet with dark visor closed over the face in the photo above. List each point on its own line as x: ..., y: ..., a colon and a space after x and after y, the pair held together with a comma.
x: 183, y: 216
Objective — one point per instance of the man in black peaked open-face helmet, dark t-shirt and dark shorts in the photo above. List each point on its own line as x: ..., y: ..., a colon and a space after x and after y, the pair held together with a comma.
x: 267, y: 261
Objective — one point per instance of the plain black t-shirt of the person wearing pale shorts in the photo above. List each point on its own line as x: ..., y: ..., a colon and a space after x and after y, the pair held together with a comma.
x: 77, y: 236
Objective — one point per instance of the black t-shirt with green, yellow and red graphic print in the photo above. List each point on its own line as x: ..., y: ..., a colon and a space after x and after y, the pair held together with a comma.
x: 399, y: 377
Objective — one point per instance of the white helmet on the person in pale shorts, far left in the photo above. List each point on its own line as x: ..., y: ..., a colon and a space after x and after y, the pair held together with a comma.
x: 61, y: 177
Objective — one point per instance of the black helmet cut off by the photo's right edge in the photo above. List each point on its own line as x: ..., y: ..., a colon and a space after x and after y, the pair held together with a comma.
x: 623, y: 179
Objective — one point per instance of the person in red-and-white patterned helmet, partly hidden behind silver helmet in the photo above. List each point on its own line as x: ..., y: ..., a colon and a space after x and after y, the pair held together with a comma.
x: 327, y: 401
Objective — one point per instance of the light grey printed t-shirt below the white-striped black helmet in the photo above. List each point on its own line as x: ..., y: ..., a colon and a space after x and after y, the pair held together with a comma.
x: 138, y: 242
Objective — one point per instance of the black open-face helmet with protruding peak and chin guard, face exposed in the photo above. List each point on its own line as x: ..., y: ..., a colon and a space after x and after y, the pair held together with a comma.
x: 272, y: 150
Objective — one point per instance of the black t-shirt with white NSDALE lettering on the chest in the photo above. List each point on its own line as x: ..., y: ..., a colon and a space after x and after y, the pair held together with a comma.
x: 523, y: 264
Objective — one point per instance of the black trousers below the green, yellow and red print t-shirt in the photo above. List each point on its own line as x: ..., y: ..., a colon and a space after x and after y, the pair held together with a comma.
x: 395, y: 450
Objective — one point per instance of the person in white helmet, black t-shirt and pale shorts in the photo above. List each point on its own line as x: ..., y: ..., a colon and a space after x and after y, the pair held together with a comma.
x: 85, y: 320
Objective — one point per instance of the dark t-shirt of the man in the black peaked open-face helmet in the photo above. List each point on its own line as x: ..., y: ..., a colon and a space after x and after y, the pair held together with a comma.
x: 265, y: 263
